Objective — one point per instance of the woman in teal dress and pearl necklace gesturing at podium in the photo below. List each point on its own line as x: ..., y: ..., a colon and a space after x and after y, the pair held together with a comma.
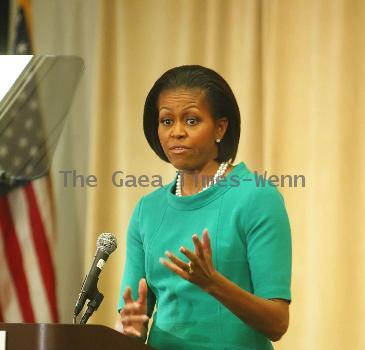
x: 229, y: 288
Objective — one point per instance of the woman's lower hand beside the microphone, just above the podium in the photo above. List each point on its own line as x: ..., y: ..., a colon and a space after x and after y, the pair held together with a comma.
x: 134, y: 313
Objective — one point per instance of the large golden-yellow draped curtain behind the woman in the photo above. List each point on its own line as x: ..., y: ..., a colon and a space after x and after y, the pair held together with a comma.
x: 297, y: 69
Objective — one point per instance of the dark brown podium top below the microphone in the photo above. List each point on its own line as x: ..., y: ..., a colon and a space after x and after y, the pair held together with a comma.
x: 43, y: 336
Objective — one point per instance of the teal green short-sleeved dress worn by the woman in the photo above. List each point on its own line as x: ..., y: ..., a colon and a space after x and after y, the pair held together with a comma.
x: 251, y: 244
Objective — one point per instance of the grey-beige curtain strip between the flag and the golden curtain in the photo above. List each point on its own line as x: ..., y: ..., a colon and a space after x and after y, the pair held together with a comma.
x: 69, y: 28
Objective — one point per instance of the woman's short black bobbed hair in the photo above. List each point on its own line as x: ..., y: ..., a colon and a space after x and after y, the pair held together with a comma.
x: 219, y: 97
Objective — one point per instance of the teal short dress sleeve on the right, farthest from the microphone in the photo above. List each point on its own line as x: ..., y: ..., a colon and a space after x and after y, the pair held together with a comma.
x: 268, y: 241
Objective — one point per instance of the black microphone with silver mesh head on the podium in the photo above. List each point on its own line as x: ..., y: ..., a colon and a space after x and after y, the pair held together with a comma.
x: 105, y: 245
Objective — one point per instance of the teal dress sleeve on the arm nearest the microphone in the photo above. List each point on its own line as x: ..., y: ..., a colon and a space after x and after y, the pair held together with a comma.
x: 134, y: 268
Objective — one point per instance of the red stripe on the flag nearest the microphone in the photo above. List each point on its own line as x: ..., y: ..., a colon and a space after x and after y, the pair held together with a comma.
x: 42, y: 249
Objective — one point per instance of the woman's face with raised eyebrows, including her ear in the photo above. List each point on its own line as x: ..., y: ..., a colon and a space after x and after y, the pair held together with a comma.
x: 186, y: 128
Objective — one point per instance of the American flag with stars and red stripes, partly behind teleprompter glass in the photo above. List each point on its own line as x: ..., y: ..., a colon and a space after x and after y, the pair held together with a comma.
x: 27, y: 234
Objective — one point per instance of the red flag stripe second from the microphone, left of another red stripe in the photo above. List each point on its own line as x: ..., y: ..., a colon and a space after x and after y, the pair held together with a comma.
x: 15, y: 260
